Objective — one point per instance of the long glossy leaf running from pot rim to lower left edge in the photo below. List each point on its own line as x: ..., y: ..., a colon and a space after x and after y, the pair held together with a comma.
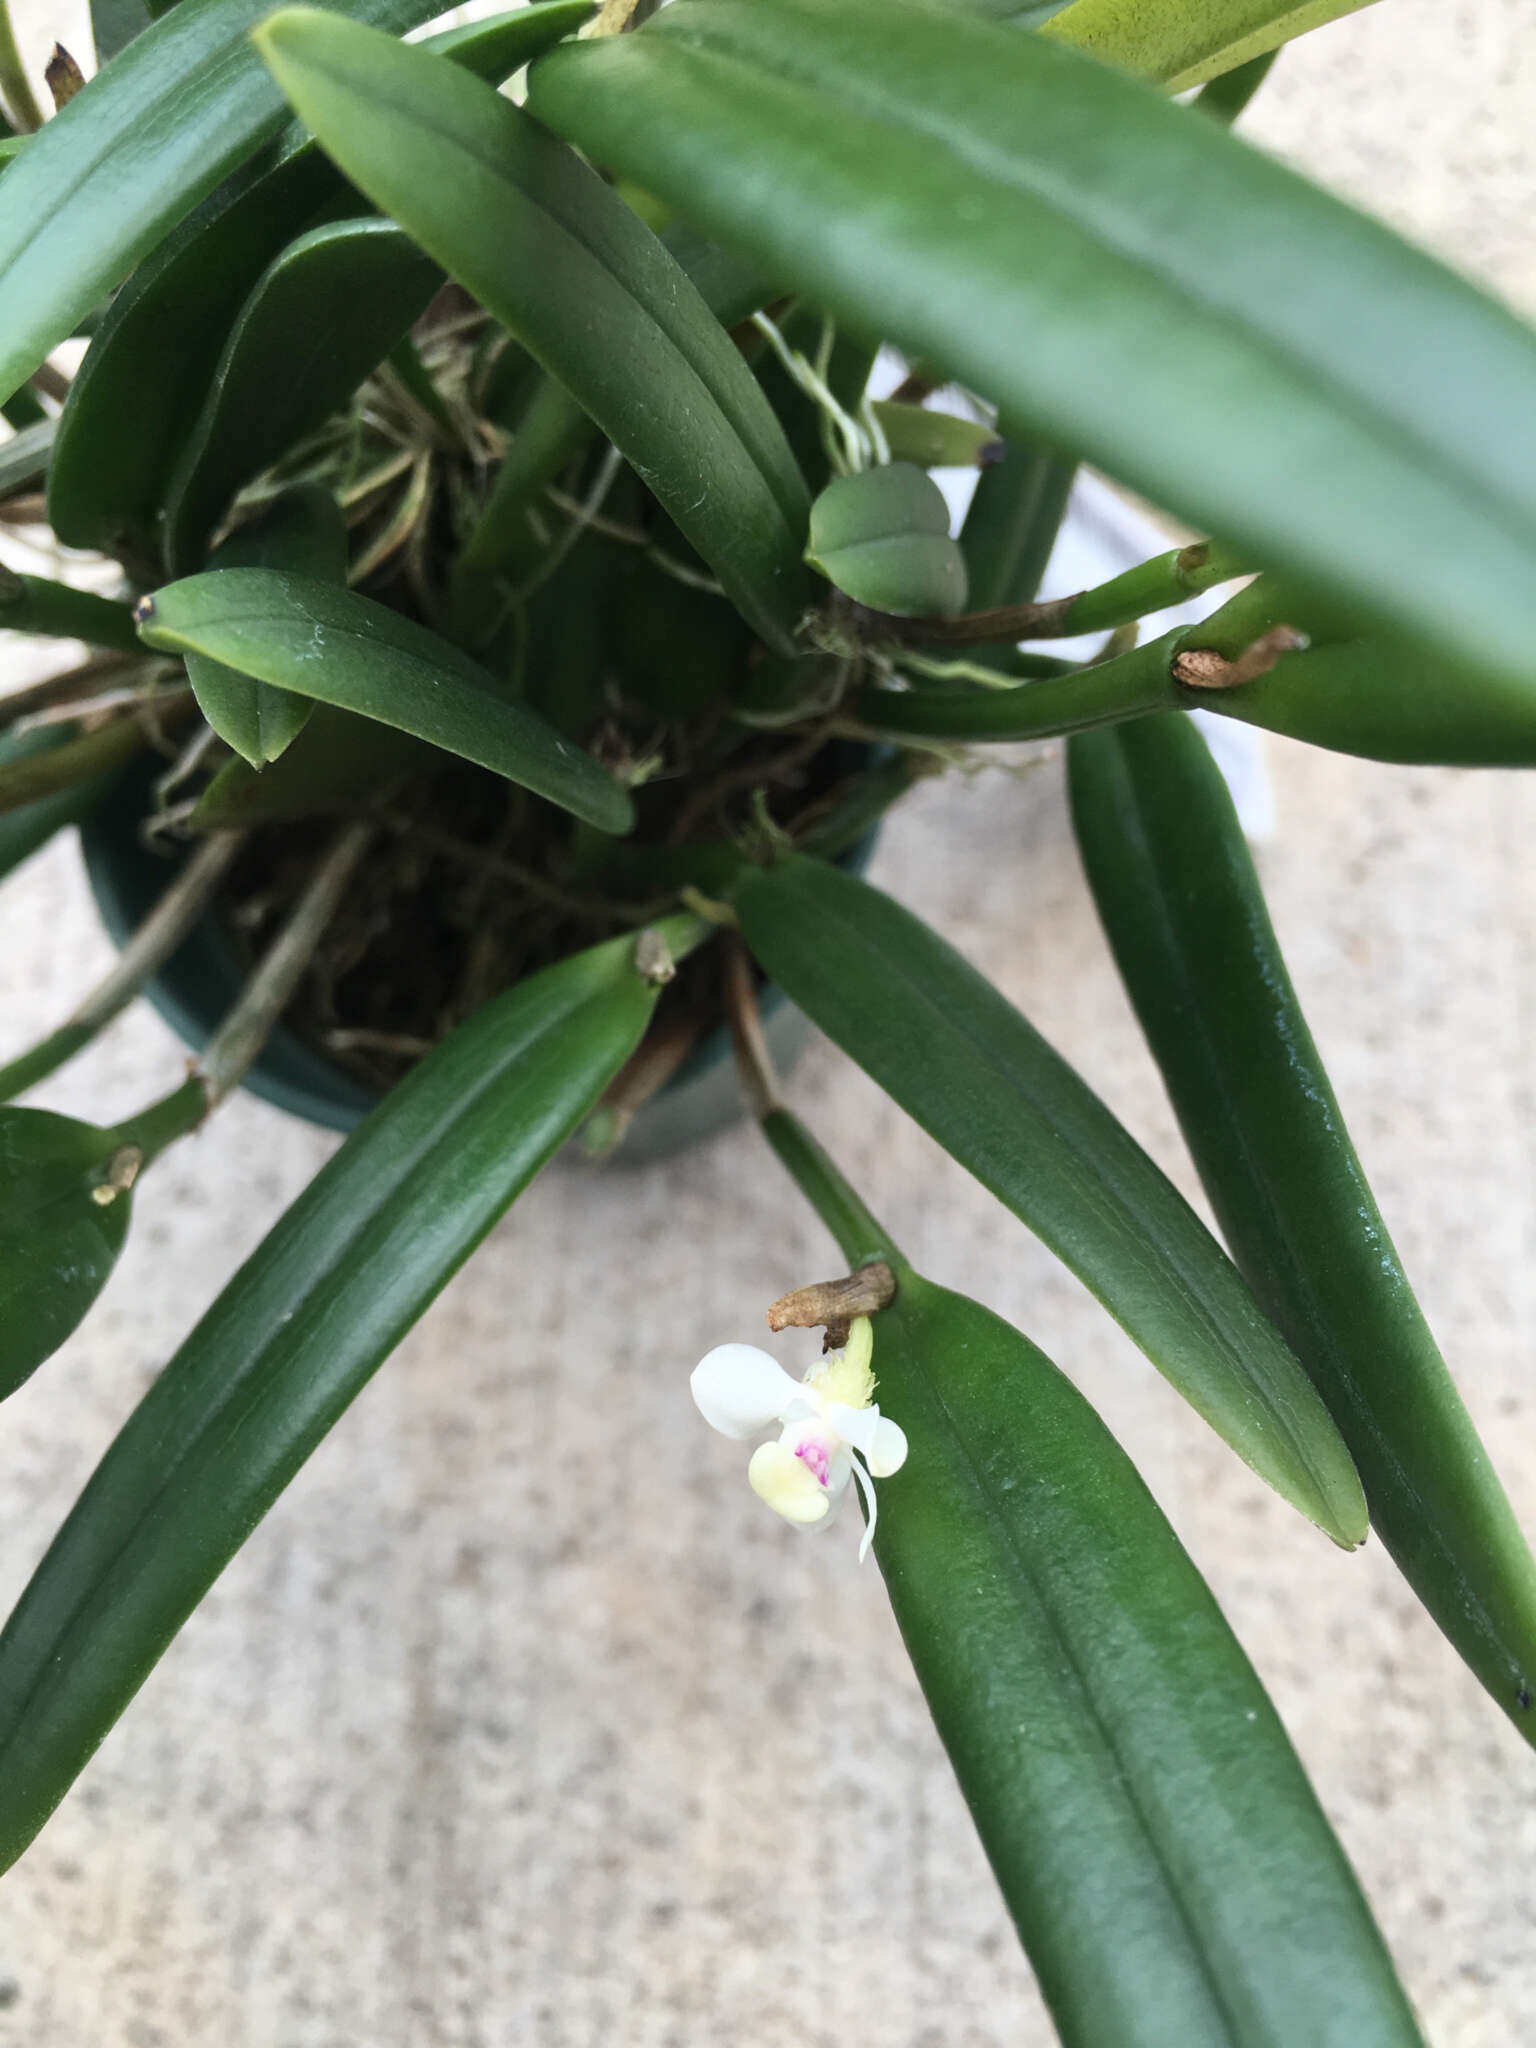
x: 286, y: 1349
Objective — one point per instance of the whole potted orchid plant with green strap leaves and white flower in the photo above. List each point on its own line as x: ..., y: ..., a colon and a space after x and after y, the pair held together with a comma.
x: 497, y: 482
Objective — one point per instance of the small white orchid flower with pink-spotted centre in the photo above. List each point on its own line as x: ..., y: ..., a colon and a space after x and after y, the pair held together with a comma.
x: 833, y: 1428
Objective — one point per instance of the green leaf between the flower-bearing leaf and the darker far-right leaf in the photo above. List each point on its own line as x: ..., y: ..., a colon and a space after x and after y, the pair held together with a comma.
x: 974, y: 1072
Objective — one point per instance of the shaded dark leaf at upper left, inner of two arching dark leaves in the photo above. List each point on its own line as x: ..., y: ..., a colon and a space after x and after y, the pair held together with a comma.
x: 316, y: 325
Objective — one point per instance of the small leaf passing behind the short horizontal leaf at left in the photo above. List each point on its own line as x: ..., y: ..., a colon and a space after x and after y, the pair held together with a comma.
x: 304, y: 534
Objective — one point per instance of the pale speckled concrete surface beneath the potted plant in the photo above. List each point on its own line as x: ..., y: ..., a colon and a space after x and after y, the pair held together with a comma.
x: 519, y: 1719
